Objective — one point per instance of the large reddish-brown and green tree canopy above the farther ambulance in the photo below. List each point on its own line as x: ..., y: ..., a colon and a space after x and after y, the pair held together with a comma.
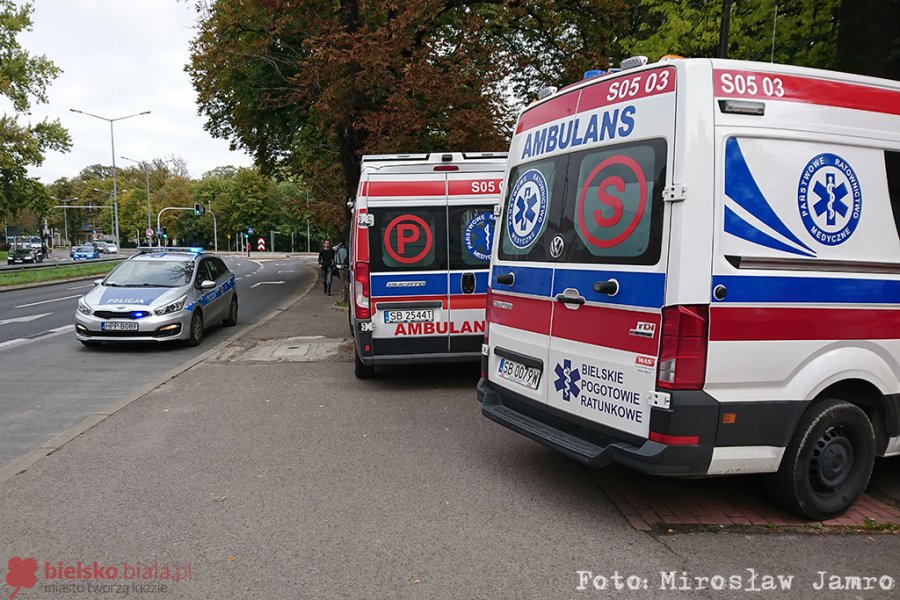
x: 310, y: 85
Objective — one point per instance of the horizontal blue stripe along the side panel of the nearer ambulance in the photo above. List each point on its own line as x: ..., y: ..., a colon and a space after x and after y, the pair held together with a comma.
x: 742, y: 288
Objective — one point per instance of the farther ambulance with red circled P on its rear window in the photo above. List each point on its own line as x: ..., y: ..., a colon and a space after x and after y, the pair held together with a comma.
x: 423, y: 226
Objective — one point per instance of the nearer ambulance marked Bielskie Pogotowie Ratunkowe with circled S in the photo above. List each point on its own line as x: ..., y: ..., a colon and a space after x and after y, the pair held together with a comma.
x: 697, y: 273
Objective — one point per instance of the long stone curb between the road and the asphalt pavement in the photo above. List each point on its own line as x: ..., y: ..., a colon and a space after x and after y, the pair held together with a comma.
x: 51, y: 446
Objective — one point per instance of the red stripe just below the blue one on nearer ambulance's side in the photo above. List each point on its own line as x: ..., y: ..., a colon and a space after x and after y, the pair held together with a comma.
x: 732, y: 324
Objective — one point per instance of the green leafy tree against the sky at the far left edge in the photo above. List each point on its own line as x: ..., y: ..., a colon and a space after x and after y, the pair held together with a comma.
x: 23, y: 80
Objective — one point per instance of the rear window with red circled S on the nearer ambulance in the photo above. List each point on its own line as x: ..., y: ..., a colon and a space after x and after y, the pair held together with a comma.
x: 614, y: 204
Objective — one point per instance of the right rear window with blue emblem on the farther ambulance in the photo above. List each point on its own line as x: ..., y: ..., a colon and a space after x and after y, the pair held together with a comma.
x: 471, y: 235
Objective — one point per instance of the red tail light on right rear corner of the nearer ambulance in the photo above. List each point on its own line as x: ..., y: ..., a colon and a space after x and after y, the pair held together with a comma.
x: 682, y: 353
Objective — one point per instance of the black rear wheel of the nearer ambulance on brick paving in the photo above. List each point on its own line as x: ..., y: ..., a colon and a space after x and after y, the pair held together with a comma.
x: 827, y: 464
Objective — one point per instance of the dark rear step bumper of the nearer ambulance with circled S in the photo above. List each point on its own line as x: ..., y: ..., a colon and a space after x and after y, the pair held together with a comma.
x: 591, y: 447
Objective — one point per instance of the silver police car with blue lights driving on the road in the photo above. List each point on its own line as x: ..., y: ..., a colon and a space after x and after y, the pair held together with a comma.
x: 159, y: 295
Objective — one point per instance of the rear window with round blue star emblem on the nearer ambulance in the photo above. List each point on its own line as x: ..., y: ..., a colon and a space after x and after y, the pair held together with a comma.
x: 534, y: 199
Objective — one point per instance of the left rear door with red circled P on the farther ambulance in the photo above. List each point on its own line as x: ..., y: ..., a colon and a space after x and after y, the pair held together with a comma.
x: 408, y: 262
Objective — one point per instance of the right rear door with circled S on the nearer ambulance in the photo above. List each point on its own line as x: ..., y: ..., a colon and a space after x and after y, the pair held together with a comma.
x: 611, y: 255
